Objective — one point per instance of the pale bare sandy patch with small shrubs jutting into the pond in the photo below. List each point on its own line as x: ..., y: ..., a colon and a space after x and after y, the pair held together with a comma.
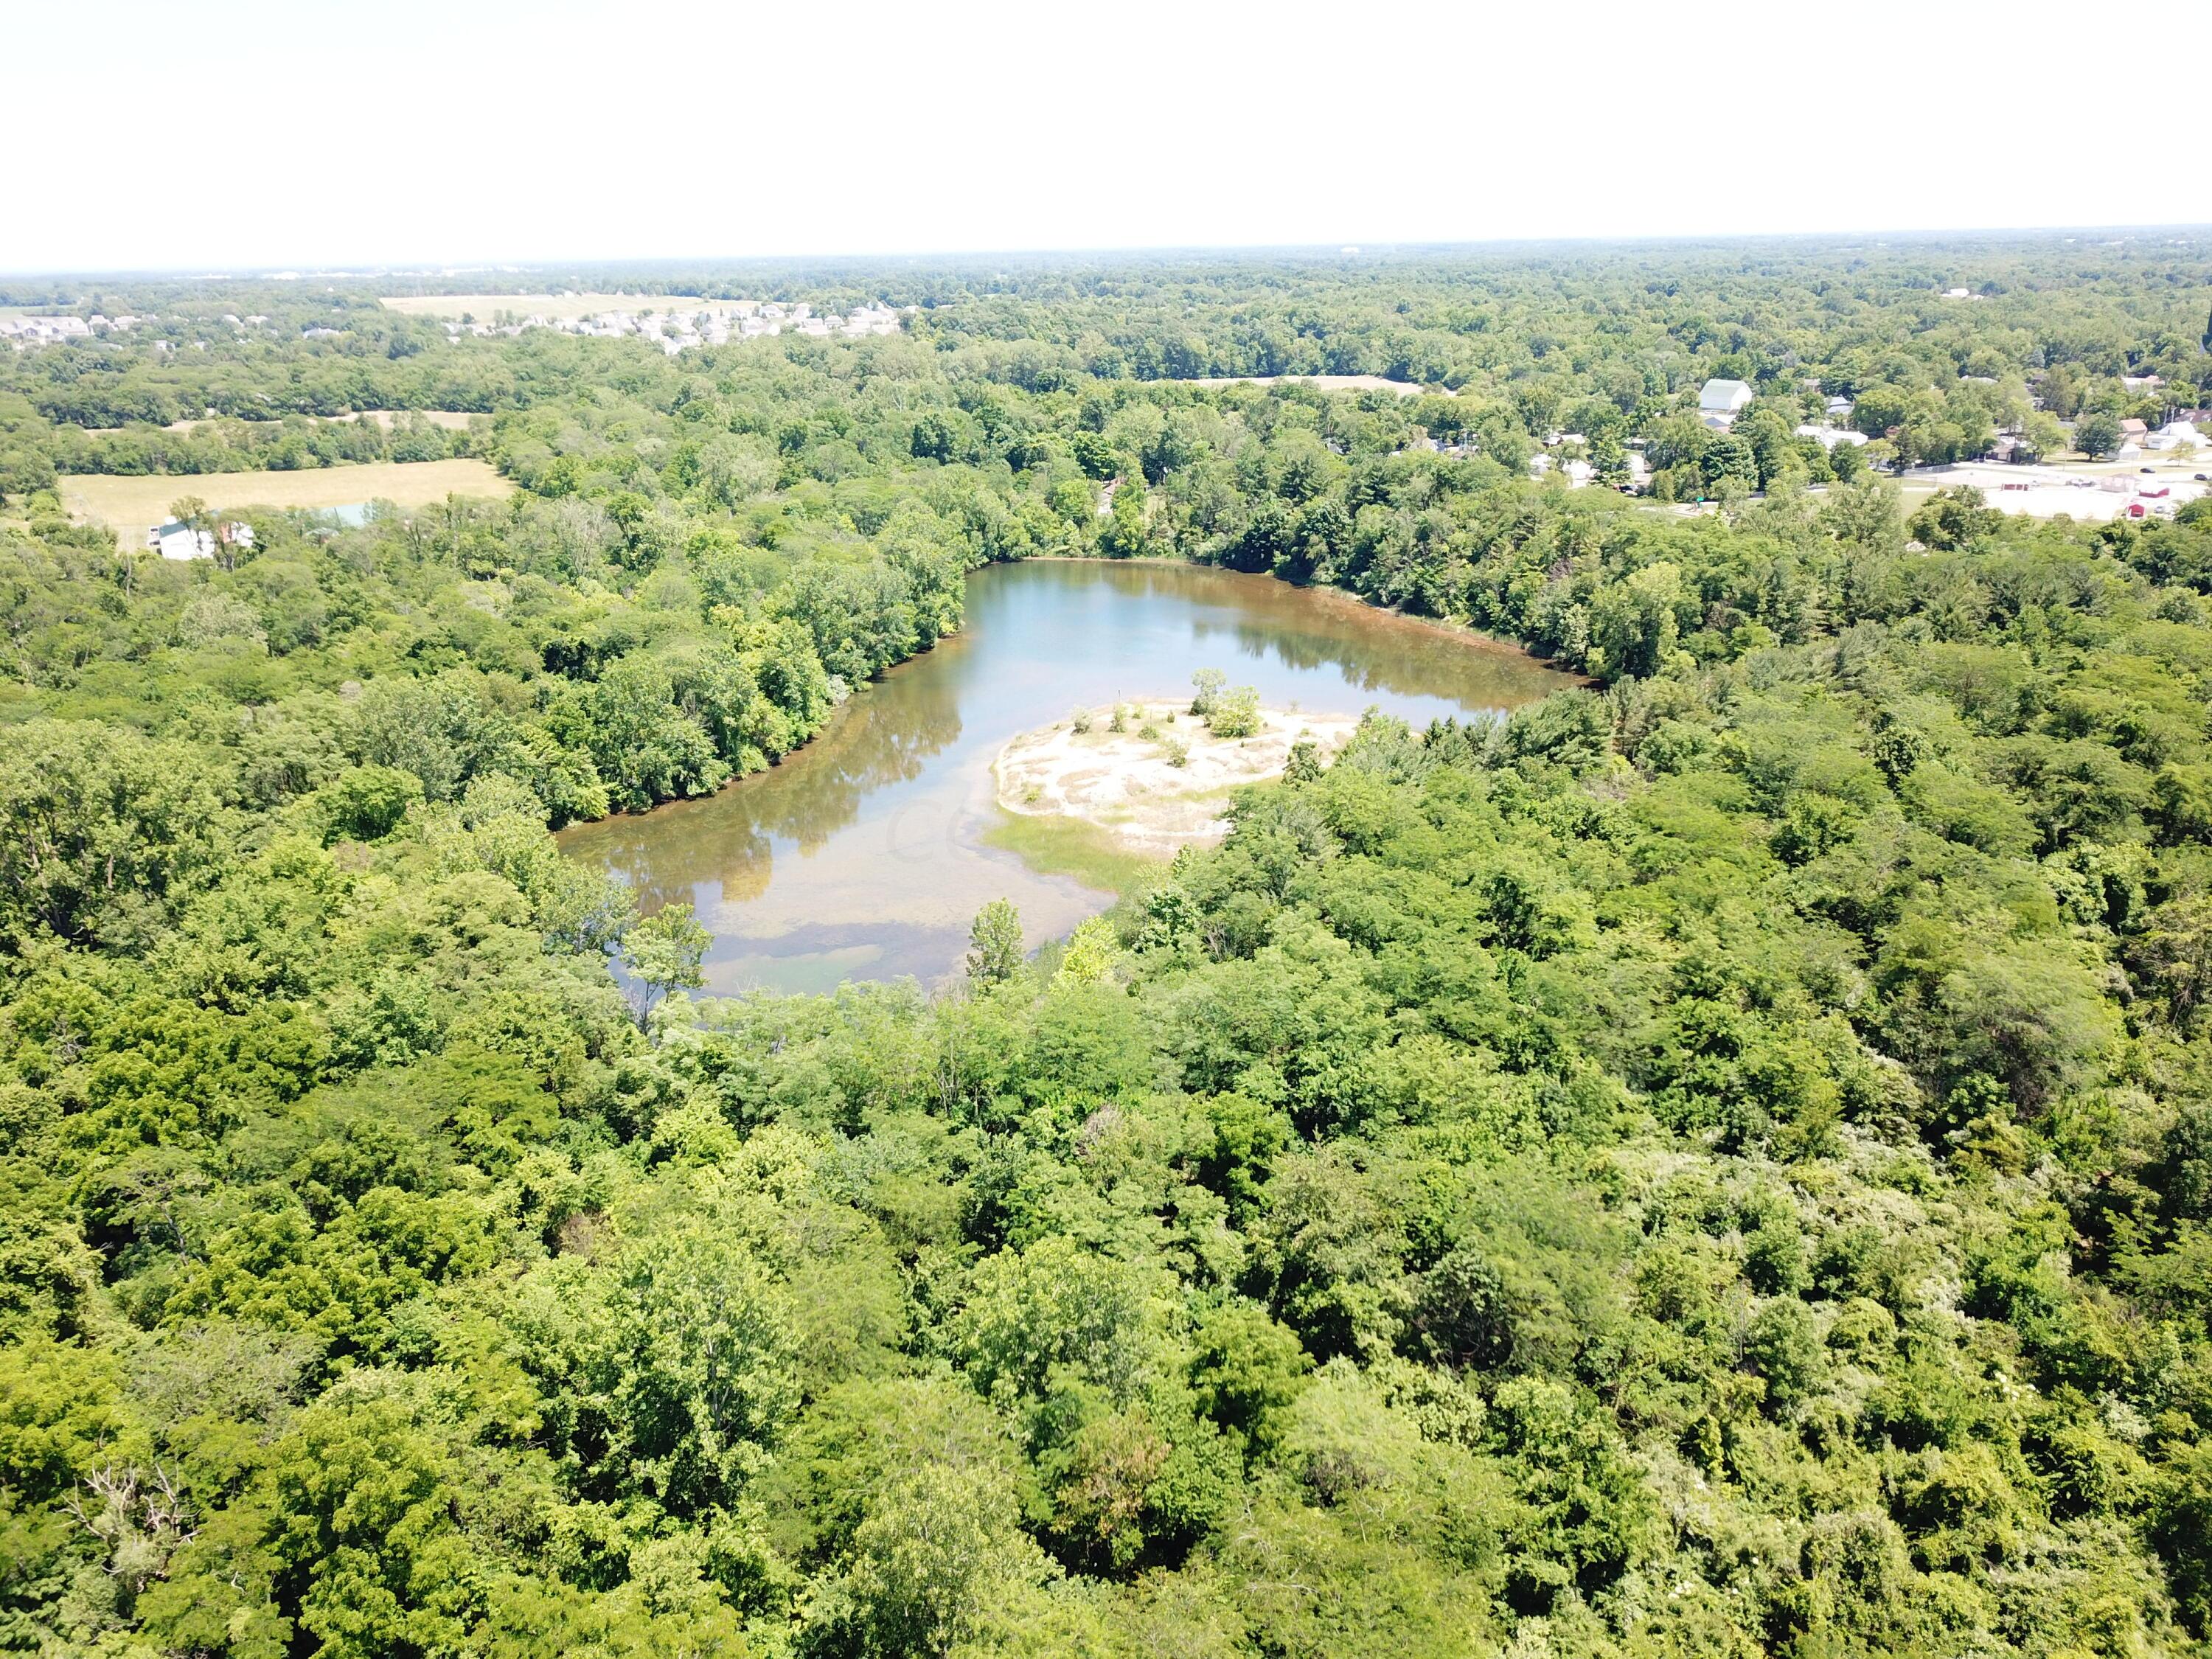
x: 1131, y: 786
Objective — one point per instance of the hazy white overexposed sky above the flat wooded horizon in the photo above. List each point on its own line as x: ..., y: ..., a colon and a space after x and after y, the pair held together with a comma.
x: 258, y: 134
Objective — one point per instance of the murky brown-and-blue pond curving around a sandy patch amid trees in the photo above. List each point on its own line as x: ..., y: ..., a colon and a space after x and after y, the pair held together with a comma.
x: 866, y: 853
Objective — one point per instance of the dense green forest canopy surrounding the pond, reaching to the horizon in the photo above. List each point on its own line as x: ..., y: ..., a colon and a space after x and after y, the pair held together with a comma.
x: 1715, y: 1165
